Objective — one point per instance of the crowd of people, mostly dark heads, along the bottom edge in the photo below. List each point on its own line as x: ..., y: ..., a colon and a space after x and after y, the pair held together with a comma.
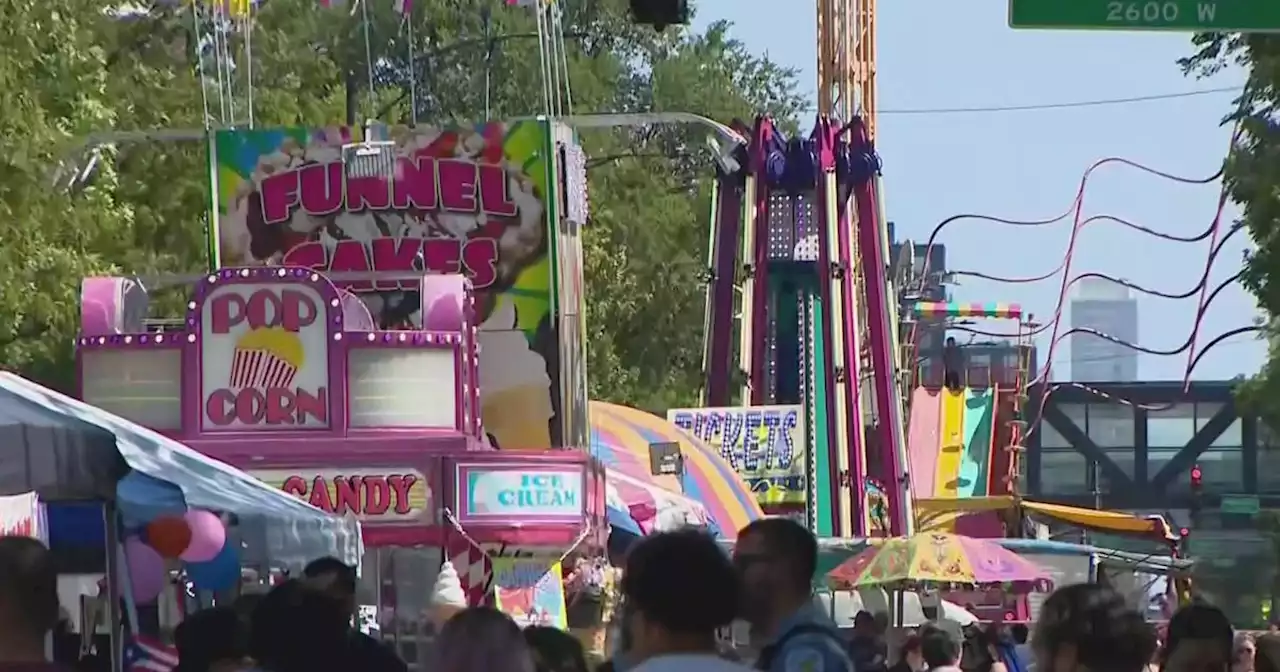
x: 680, y: 589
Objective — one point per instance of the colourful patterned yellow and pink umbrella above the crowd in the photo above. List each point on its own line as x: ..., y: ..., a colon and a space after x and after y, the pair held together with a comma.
x: 939, y: 560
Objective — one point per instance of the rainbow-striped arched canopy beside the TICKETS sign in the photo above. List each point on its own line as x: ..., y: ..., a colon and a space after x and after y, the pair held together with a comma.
x: 621, y: 438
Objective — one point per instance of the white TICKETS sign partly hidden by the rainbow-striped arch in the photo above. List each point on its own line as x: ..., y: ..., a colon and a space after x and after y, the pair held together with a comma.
x: 765, y: 445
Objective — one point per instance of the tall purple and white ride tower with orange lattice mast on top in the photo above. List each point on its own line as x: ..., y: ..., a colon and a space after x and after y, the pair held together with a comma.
x: 819, y: 321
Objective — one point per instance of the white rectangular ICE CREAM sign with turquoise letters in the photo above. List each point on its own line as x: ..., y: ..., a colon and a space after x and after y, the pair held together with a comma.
x: 523, y: 493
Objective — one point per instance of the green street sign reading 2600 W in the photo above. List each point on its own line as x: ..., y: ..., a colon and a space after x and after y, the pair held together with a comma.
x: 1191, y: 16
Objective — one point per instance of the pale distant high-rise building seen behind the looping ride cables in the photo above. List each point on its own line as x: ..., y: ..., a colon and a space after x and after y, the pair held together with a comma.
x: 1110, y: 309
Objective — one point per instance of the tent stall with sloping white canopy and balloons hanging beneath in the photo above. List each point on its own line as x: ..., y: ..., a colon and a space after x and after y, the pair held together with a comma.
x: 173, y: 522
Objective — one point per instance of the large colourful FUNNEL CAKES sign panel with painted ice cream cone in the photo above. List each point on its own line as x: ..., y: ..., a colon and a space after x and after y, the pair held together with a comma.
x: 470, y: 200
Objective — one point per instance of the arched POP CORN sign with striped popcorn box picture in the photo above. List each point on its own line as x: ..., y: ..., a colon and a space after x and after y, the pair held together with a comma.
x: 264, y: 358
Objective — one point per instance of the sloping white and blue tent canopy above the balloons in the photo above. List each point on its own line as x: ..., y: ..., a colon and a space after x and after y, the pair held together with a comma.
x: 66, y: 450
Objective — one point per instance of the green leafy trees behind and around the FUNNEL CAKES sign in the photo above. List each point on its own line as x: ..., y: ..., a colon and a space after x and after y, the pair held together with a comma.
x: 68, y: 70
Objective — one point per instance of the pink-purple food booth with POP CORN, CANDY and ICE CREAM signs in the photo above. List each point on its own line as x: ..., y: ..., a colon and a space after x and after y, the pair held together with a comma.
x: 278, y: 372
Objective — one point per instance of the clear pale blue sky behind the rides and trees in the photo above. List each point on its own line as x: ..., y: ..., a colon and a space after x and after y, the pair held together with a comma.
x: 1028, y: 164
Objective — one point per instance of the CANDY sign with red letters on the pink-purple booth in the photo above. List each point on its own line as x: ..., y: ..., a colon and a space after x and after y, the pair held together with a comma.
x: 383, y: 496
